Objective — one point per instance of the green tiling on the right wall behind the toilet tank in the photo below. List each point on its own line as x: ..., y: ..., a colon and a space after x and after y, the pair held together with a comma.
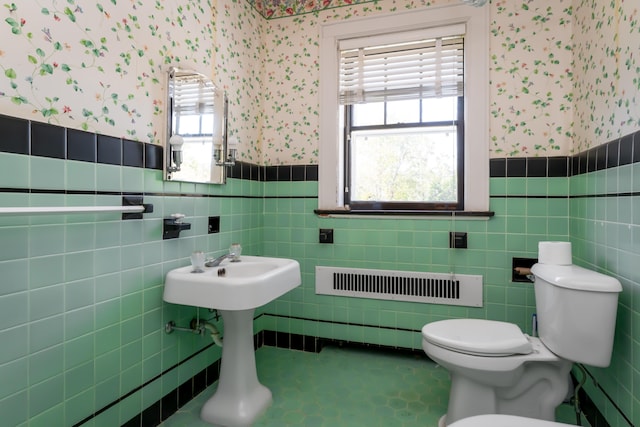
x: 605, y: 234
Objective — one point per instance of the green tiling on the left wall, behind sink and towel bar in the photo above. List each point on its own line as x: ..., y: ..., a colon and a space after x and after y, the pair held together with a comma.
x: 81, y: 295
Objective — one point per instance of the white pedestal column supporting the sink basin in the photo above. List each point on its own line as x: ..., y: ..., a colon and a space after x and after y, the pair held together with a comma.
x: 240, y: 399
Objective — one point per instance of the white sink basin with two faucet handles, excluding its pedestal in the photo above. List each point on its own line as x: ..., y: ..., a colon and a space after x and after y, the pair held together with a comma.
x: 250, y: 283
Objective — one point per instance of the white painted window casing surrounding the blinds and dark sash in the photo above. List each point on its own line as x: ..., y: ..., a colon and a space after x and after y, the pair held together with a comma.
x: 476, y: 80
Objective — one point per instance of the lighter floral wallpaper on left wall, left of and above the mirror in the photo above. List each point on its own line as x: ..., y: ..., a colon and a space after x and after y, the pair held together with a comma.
x: 99, y: 66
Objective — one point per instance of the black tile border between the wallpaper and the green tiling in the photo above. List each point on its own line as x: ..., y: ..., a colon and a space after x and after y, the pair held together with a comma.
x: 22, y: 136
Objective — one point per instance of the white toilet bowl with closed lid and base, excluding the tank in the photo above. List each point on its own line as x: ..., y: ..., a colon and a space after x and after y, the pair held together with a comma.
x: 496, y: 369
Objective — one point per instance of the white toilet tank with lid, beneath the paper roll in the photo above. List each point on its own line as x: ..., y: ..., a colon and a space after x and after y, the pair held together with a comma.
x: 576, y: 311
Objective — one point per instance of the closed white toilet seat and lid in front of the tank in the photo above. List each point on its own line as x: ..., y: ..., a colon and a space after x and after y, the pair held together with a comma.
x: 478, y: 337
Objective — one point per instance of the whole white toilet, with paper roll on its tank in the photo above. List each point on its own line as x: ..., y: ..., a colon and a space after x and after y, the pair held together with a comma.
x: 496, y: 369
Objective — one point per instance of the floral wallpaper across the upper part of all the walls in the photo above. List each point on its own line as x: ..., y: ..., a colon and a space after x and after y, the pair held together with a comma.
x: 564, y: 73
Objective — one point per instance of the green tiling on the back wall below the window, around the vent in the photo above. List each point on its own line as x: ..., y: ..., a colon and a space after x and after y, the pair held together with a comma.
x: 524, y: 215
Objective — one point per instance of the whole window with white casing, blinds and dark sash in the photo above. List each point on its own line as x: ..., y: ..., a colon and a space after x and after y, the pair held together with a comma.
x: 404, y: 113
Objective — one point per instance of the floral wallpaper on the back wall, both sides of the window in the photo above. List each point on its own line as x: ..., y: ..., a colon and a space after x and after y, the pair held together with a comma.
x: 531, y: 79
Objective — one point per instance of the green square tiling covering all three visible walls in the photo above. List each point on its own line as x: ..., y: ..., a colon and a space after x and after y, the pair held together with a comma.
x: 81, y: 295
